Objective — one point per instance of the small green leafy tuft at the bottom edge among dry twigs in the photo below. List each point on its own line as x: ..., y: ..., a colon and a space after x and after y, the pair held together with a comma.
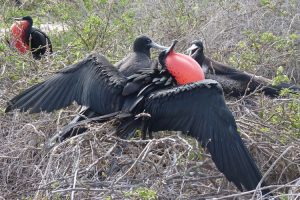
x: 142, y: 193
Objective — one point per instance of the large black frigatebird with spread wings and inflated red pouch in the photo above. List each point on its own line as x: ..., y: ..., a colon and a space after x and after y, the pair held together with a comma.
x: 172, y: 96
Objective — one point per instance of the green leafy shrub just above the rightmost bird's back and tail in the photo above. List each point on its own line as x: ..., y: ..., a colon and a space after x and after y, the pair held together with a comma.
x: 258, y: 48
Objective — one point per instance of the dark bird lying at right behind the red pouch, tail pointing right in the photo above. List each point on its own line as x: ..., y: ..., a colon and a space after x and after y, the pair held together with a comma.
x: 234, y: 82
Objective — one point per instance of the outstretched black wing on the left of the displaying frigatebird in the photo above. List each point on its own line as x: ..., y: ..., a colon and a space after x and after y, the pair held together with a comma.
x: 93, y: 82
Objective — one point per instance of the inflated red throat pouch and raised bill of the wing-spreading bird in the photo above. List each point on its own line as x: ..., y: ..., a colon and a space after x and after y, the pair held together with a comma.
x: 182, y: 67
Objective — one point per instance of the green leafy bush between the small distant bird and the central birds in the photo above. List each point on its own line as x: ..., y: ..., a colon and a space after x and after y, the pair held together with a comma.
x: 91, y: 29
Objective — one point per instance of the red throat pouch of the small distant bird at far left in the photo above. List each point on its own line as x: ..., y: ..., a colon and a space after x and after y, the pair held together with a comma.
x: 18, y: 33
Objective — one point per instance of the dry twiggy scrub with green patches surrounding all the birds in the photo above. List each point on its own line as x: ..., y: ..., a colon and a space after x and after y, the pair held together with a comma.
x: 256, y: 36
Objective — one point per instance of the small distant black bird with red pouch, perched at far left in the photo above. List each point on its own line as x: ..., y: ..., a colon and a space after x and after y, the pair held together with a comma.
x: 25, y: 38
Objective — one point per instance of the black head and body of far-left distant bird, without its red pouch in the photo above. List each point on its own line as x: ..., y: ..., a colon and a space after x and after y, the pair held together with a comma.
x: 37, y: 40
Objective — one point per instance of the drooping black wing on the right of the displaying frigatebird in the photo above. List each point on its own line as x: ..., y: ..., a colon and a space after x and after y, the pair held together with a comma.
x: 199, y: 110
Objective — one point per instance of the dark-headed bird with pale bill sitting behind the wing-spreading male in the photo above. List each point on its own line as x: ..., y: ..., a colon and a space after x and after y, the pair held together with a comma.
x: 137, y: 60
